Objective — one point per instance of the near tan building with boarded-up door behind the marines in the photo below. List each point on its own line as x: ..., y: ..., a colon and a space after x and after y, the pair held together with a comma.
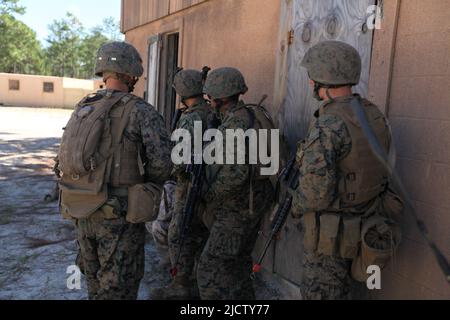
x: 406, y: 72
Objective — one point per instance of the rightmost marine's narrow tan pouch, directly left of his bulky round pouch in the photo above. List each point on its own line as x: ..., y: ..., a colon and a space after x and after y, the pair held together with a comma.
x: 350, y: 238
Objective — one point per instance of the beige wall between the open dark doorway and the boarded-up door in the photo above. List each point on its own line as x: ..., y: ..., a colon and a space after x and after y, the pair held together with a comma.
x: 237, y: 33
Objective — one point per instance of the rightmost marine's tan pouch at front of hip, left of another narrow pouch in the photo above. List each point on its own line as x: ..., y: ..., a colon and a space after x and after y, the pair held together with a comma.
x: 329, y: 231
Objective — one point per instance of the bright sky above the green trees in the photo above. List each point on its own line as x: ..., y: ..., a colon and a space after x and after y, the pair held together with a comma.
x: 41, y: 13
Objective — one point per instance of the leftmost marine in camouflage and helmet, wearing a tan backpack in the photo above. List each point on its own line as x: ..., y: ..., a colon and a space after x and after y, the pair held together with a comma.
x: 133, y: 147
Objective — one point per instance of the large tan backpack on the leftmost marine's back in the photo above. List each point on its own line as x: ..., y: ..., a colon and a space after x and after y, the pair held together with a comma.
x: 86, y: 146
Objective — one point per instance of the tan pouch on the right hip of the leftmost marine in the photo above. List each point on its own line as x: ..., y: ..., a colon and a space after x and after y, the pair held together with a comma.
x: 143, y: 203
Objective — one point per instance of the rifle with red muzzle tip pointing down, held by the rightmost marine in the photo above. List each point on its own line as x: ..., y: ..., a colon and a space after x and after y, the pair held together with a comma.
x: 289, y: 176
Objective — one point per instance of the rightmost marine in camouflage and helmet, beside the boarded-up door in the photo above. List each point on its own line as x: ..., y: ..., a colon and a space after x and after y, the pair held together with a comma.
x: 333, y: 66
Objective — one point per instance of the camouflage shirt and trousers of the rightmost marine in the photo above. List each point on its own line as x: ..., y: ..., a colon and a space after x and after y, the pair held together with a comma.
x: 327, y: 143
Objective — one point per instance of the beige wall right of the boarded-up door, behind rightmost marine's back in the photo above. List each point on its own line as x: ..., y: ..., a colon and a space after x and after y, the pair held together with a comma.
x: 417, y: 100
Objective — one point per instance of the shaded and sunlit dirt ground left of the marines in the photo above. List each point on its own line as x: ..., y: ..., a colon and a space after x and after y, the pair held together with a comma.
x: 36, y: 244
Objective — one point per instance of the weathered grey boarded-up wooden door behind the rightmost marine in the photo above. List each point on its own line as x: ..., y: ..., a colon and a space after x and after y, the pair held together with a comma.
x: 314, y: 21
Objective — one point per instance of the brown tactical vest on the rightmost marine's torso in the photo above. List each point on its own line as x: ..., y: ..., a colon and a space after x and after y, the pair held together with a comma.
x: 361, y: 176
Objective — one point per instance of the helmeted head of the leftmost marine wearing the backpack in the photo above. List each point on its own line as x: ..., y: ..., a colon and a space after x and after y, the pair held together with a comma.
x: 120, y: 65
